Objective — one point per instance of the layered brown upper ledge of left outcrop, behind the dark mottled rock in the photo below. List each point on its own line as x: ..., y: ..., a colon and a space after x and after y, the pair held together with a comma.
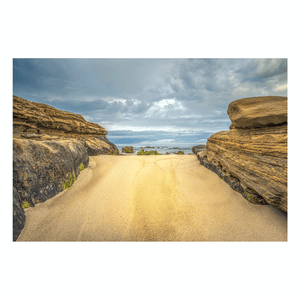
x: 37, y: 121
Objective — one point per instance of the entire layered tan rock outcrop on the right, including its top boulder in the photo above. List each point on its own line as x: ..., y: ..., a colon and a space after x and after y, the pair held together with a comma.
x: 252, y: 156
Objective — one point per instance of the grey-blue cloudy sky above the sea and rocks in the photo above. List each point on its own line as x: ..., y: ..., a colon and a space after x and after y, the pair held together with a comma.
x: 150, y: 101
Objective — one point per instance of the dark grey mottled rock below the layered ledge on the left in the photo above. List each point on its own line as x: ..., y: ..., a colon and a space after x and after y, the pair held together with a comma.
x: 40, y: 169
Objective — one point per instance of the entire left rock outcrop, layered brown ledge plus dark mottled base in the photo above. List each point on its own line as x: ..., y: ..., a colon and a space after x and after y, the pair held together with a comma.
x: 49, y: 146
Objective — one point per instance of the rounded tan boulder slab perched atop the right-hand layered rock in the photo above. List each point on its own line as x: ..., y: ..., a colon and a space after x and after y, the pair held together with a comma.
x: 258, y: 112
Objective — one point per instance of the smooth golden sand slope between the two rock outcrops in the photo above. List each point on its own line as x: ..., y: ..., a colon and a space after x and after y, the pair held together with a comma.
x: 151, y: 198
